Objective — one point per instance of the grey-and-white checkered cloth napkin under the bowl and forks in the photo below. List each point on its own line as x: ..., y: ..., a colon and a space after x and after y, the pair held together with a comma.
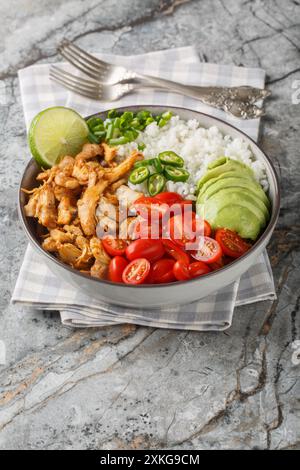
x: 37, y: 287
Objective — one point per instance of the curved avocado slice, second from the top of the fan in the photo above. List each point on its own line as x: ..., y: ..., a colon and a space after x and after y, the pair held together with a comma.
x: 234, y: 182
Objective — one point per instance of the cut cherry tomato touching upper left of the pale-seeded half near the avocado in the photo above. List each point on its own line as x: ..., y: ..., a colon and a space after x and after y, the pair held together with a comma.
x: 183, y: 228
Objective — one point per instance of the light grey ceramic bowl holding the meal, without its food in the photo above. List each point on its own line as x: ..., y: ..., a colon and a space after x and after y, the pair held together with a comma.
x: 151, y: 296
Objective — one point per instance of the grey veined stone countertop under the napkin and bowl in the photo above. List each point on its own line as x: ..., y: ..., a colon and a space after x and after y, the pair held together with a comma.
x: 132, y: 387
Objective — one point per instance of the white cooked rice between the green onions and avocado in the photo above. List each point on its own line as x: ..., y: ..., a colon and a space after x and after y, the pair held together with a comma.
x: 198, y: 147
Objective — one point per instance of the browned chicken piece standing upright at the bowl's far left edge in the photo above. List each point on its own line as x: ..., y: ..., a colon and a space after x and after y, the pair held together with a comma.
x: 46, y: 211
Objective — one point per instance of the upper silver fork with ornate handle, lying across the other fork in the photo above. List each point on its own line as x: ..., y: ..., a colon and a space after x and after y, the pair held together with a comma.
x: 235, y: 100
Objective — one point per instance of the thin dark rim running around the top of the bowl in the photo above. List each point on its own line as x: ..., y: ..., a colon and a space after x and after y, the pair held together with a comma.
x: 270, y: 227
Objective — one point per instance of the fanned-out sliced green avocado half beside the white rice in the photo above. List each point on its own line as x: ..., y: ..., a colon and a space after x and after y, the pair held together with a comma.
x: 230, y: 197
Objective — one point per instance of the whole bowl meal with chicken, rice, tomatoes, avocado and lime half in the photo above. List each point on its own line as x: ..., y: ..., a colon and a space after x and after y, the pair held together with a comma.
x: 146, y: 206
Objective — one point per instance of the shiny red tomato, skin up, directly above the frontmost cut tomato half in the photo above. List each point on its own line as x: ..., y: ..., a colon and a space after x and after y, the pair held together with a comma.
x: 147, y: 248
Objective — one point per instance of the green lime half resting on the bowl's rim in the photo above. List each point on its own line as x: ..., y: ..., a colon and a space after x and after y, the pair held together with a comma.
x: 56, y: 132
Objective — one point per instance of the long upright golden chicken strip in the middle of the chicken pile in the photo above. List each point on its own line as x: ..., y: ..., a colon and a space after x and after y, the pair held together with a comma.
x: 87, y: 207
